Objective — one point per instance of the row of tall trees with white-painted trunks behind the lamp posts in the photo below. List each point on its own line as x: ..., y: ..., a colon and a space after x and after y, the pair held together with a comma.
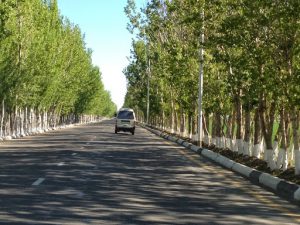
x: 251, y: 90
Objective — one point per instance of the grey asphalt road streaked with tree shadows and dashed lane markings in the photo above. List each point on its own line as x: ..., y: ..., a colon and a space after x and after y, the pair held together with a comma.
x: 89, y: 175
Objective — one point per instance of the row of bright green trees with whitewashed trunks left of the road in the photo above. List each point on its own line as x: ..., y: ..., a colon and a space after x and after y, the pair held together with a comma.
x: 46, y: 73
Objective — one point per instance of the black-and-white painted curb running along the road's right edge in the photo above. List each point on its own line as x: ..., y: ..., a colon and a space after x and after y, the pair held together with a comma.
x: 281, y: 187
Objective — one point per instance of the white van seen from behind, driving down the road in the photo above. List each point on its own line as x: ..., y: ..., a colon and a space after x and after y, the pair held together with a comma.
x: 125, y: 121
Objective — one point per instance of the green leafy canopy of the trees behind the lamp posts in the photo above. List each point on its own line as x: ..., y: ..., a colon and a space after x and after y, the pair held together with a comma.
x: 251, y: 50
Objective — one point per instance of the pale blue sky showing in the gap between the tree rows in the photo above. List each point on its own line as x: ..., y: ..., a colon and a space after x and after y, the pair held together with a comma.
x: 103, y: 23
